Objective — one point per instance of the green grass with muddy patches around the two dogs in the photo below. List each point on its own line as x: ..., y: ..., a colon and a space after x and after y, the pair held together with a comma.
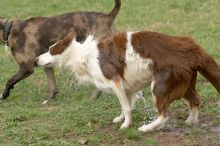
x: 73, y: 117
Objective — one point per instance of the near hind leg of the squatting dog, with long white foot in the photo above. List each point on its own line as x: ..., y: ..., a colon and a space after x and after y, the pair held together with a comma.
x: 165, y: 89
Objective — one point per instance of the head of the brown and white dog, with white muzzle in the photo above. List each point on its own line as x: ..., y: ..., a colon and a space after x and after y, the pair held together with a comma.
x: 56, y: 51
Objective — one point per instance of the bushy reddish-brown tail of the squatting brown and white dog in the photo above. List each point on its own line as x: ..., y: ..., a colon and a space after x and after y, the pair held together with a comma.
x: 211, y: 71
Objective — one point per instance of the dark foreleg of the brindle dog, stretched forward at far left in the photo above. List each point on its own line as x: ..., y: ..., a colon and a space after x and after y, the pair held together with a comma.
x: 25, y: 70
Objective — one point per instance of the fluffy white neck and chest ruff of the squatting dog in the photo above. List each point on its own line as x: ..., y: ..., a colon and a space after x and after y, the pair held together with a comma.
x: 82, y: 60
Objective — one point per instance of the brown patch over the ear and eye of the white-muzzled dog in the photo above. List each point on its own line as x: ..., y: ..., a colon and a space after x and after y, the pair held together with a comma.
x: 60, y: 46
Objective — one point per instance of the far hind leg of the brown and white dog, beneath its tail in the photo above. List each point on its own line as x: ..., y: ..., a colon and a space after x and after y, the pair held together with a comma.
x: 192, y: 99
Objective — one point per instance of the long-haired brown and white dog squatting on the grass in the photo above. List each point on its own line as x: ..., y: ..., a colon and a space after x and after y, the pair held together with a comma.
x: 127, y: 62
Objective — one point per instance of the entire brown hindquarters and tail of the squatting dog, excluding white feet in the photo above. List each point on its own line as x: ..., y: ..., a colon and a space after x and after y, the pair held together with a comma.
x: 176, y: 60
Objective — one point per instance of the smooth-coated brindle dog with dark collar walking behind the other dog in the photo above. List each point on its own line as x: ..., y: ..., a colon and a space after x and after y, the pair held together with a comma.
x: 32, y: 37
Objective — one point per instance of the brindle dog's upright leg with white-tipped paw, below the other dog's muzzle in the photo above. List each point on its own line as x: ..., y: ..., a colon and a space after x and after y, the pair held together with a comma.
x: 51, y: 82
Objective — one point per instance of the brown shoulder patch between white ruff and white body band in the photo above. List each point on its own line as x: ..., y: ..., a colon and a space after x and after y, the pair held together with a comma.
x: 112, y: 56
